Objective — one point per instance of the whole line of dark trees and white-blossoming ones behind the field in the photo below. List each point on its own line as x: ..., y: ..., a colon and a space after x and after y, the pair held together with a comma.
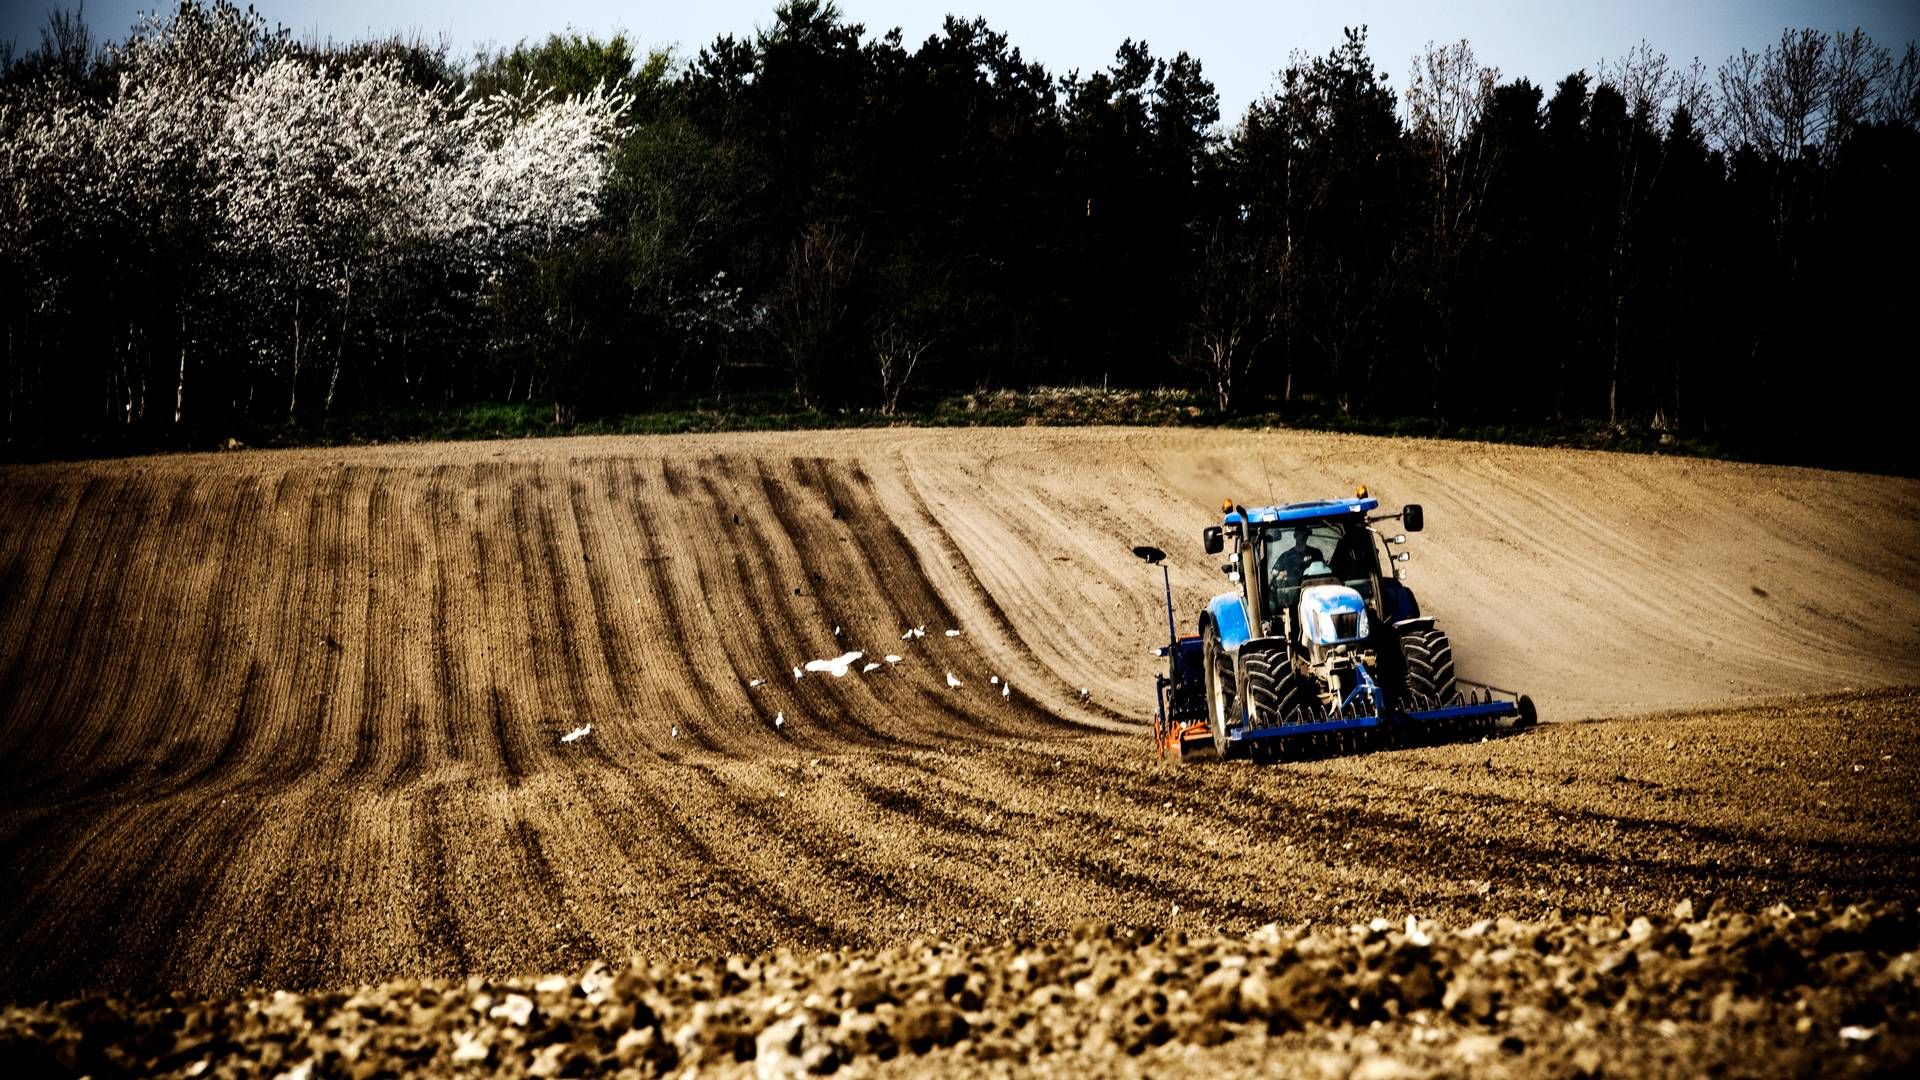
x: 214, y: 228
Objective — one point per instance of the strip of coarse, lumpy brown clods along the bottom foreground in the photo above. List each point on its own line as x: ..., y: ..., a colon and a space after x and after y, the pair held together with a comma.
x: 1779, y: 993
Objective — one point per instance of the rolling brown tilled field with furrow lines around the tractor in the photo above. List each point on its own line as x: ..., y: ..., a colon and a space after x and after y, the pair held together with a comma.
x: 295, y: 720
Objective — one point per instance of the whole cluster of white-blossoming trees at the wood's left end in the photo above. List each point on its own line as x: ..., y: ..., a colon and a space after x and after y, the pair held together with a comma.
x: 287, y: 187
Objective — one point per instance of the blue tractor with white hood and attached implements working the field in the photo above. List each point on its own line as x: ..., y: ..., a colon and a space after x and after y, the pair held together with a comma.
x: 1320, y: 645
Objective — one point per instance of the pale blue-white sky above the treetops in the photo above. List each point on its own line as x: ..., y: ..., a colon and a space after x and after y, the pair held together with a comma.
x: 1241, y: 45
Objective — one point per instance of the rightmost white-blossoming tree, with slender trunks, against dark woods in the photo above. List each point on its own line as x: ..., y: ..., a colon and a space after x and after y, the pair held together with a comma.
x: 331, y: 176
